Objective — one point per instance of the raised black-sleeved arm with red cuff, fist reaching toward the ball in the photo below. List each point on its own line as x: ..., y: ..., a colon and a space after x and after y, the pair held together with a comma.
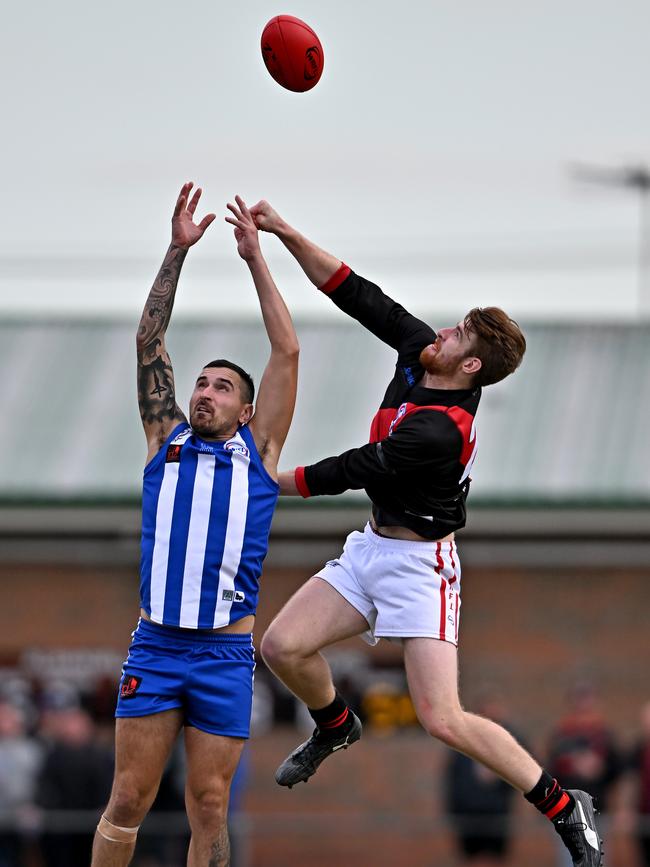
x: 354, y: 295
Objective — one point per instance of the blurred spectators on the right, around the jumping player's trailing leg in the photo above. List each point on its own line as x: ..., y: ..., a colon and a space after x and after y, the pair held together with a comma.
x: 582, y: 752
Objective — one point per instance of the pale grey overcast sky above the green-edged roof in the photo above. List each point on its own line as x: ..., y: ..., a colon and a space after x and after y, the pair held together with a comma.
x: 432, y: 156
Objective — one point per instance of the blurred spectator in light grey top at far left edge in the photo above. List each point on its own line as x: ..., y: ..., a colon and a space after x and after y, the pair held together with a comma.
x: 19, y: 762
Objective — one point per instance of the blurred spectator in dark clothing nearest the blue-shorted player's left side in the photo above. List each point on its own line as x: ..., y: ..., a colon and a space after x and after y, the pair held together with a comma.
x: 76, y: 776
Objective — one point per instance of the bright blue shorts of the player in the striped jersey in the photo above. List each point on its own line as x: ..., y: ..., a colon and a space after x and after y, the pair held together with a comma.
x: 209, y: 675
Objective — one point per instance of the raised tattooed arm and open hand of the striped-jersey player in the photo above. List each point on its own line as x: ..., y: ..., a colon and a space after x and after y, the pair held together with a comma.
x: 156, y: 394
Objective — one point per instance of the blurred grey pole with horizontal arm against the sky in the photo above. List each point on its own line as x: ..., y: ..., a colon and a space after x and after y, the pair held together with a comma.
x: 637, y: 178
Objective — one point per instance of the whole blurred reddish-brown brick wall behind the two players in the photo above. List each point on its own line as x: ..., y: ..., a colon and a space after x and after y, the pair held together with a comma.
x: 531, y: 632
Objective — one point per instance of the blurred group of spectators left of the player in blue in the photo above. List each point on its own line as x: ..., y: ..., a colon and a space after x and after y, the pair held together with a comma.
x: 54, y: 756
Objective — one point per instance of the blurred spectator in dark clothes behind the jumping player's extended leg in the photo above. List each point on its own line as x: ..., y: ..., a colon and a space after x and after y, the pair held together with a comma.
x: 478, y: 802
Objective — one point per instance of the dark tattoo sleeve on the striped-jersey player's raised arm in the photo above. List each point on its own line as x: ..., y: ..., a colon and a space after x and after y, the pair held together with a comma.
x: 156, y: 394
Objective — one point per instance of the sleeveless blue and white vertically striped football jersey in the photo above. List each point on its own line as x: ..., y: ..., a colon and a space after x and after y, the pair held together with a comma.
x: 206, y: 516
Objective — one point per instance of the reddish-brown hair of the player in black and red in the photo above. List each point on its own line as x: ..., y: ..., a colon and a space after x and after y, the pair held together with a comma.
x: 499, y: 343
